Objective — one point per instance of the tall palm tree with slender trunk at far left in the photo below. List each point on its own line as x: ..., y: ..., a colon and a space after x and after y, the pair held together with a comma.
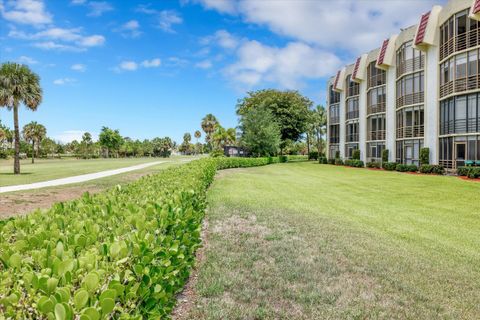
x: 18, y: 84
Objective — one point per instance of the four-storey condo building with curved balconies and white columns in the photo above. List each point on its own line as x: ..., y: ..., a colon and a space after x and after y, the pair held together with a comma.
x: 420, y: 88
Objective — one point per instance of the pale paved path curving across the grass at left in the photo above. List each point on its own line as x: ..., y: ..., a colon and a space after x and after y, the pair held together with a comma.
x: 77, y: 179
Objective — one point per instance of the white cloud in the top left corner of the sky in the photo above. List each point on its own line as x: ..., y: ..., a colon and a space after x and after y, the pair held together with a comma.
x: 30, y: 12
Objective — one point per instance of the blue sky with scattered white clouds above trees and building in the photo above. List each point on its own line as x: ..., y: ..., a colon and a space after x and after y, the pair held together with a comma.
x: 155, y: 68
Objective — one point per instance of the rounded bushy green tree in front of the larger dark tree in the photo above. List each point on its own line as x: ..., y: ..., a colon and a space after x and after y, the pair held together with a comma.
x: 260, y: 133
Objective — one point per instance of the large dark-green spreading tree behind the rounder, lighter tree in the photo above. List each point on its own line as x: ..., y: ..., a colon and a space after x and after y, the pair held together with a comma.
x: 289, y: 108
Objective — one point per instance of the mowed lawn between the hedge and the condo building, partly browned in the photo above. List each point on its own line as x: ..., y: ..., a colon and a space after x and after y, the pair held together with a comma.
x: 310, y: 241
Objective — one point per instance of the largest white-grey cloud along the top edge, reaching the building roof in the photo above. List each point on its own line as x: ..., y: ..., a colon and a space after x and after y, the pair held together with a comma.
x: 358, y: 26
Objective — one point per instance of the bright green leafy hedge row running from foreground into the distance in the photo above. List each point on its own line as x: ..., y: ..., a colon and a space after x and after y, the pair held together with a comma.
x: 120, y: 254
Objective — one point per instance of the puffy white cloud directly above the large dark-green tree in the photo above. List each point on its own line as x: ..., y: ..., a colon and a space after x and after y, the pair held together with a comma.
x: 288, y: 66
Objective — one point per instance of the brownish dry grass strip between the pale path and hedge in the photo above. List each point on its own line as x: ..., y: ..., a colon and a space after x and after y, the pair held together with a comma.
x: 22, y: 203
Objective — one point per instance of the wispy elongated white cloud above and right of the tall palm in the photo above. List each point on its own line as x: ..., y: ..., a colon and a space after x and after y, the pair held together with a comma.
x: 60, y: 39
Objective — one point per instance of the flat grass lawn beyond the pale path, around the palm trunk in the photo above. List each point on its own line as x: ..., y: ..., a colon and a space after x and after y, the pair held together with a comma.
x: 44, y: 169
